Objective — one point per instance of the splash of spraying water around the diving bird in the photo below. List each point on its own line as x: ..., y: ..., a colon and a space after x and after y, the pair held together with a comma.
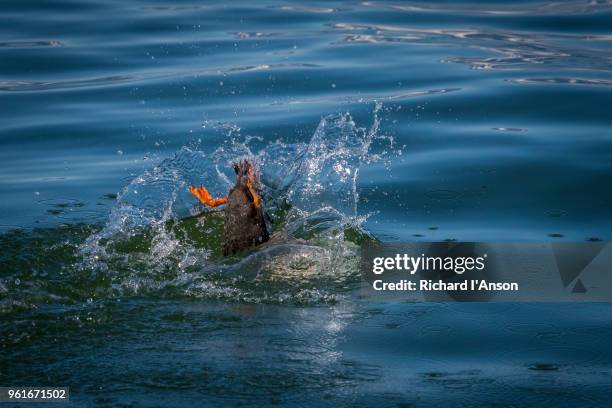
x: 158, y: 242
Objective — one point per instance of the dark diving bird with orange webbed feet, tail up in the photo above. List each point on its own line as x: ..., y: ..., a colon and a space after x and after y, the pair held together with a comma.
x: 245, y: 225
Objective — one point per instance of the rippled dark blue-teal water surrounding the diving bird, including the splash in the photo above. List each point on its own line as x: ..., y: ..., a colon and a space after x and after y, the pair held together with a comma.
x: 367, y: 120
